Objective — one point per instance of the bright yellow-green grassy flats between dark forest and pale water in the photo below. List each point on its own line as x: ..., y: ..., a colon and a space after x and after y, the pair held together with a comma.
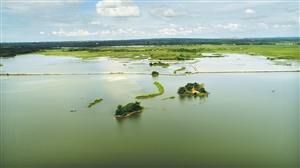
x: 179, y: 52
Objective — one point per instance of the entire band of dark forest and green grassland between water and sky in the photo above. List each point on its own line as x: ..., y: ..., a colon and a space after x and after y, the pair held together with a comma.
x: 158, y: 49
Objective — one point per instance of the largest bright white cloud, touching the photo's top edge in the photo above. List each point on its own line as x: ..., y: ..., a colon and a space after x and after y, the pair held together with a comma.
x: 118, y: 8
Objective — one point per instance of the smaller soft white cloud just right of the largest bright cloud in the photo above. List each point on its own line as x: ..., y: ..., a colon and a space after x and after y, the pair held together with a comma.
x: 165, y: 12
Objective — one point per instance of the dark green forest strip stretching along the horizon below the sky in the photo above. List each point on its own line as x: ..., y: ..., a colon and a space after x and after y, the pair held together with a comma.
x: 13, y: 49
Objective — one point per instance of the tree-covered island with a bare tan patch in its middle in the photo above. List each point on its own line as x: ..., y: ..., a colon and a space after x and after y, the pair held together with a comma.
x: 193, y: 89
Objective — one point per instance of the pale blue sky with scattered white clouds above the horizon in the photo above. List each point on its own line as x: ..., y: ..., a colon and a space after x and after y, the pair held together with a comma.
x: 60, y: 20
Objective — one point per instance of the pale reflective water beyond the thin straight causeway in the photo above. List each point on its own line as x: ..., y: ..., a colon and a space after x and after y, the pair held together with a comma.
x: 33, y: 63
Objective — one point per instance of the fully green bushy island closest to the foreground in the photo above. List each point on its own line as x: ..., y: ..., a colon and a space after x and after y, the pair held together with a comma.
x: 128, y: 109
